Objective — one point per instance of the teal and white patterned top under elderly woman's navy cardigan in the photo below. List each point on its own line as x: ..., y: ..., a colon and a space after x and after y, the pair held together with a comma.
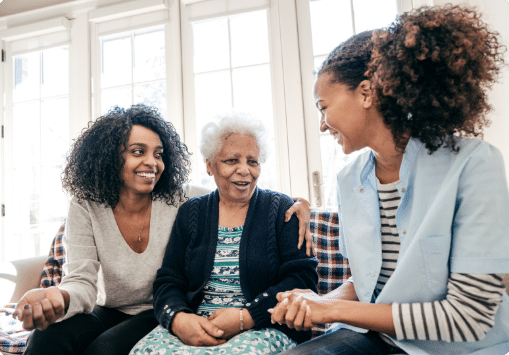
x: 223, y: 288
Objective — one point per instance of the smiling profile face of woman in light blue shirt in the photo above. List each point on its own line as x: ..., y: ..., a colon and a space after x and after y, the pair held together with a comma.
x: 344, y: 112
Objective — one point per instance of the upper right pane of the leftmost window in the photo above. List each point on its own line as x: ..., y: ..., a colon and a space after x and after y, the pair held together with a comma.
x: 55, y: 72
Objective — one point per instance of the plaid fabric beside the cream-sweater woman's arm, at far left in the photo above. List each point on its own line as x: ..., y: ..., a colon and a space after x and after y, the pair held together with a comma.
x: 52, y: 271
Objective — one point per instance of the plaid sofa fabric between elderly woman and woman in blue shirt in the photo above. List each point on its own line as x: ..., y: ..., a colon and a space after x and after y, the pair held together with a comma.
x: 333, y: 269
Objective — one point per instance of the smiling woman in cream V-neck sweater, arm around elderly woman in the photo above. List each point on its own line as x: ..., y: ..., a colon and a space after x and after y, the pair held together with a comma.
x: 126, y: 174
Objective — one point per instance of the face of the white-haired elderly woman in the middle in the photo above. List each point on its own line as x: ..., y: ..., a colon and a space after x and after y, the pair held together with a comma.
x: 236, y: 168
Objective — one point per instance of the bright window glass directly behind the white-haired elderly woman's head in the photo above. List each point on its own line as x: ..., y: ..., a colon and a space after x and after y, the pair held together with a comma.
x: 232, y: 70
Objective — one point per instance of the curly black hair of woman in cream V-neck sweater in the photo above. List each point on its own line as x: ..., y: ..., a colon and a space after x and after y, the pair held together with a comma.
x: 95, y: 161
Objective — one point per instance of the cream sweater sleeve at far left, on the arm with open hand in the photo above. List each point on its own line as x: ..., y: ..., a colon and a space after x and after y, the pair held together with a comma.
x: 82, y: 263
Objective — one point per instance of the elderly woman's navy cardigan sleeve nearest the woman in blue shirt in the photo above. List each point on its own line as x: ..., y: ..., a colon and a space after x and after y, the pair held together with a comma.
x: 294, y: 269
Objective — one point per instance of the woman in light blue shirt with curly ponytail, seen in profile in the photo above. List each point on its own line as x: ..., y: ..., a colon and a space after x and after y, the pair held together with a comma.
x: 423, y: 212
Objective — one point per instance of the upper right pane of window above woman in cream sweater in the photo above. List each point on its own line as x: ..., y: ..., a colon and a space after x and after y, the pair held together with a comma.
x: 149, y: 58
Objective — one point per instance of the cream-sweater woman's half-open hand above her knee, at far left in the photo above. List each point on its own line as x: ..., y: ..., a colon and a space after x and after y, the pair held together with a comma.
x: 41, y: 307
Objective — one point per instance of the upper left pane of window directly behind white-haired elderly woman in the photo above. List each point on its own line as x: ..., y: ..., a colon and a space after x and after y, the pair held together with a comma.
x: 211, y: 45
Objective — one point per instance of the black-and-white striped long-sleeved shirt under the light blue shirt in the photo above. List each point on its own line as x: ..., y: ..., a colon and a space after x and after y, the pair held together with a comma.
x: 467, y: 312
